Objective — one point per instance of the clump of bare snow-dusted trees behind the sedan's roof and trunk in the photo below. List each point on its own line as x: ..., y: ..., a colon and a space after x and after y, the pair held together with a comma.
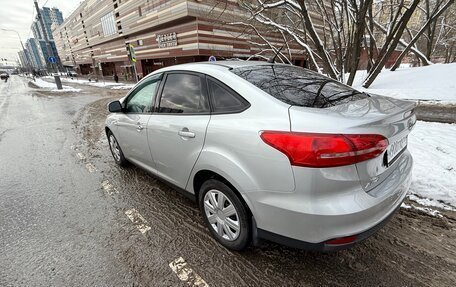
x: 335, y: 35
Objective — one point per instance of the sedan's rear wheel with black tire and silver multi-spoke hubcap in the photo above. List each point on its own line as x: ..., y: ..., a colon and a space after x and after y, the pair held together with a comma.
x: 223, y: 212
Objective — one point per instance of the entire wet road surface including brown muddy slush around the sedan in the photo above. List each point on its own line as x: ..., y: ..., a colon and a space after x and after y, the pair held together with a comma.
x: 63, y: 220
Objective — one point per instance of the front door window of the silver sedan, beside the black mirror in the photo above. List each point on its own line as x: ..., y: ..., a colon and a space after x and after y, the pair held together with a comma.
x: 141, y: 98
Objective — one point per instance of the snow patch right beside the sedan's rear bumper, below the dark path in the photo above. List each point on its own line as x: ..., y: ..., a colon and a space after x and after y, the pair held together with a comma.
x: 433, y: 147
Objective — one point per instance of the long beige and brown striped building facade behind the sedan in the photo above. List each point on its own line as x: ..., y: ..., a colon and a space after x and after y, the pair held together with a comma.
x: 162, y: 33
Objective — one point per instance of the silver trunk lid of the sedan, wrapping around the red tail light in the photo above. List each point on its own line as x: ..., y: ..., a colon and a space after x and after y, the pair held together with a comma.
x: 391, y: 118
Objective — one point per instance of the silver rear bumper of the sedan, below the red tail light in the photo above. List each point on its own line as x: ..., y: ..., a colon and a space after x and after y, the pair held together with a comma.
x: 309, y: 218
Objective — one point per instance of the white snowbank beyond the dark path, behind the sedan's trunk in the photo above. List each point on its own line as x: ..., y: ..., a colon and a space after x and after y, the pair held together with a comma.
x: 435, y: 83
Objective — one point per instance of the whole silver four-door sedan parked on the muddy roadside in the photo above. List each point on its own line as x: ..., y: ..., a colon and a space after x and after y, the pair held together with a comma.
x: 269, y: 151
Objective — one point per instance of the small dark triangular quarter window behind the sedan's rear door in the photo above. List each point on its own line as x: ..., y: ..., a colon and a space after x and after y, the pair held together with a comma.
x: 224, y: 100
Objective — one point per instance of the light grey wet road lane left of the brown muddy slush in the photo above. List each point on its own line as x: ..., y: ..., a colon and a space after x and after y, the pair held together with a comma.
x: 55, y: 228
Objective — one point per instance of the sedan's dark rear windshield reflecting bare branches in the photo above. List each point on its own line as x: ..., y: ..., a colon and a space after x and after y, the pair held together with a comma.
x: 299, y: 87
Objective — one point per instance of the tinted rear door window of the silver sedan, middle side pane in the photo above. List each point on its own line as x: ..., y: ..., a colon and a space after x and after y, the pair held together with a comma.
x: 183, y: 94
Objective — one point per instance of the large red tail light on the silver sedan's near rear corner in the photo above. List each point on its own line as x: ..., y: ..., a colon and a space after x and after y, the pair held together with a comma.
x: 325, y: 150
